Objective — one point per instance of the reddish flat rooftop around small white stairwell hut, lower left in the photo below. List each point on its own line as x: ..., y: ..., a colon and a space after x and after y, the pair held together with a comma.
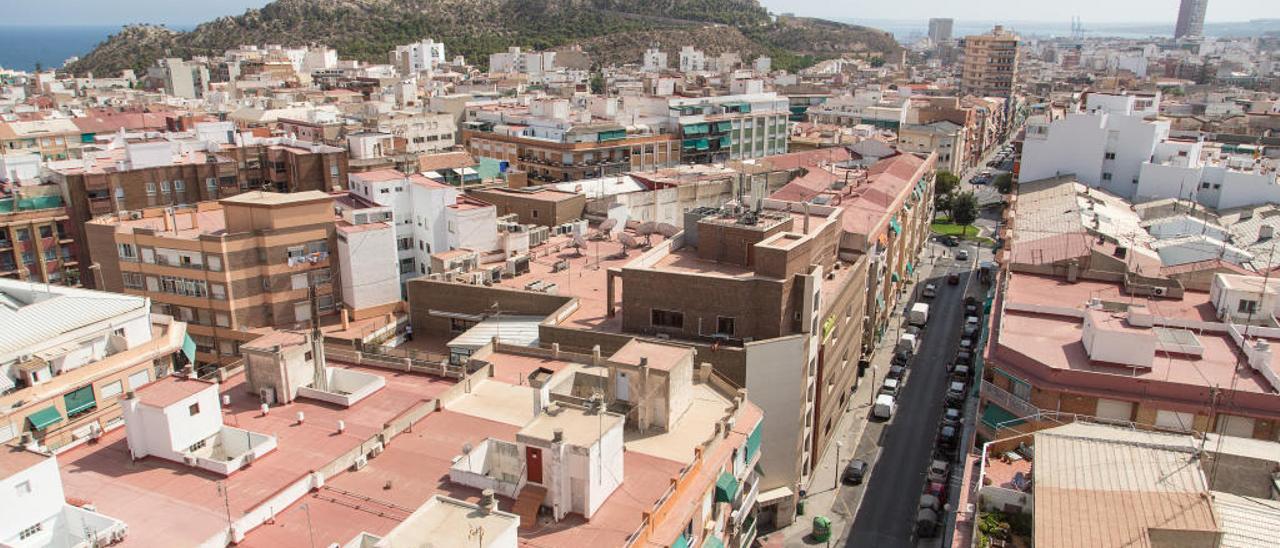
x: 149, y: 494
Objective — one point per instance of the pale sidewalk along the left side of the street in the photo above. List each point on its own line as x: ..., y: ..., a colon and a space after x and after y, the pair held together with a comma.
x: 824, y: 496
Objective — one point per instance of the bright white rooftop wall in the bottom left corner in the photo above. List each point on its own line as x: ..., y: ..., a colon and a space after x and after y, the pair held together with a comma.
x: 40, y: 506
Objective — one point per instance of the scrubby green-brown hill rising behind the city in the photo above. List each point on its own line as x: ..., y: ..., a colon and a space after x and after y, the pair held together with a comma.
x: 612, y: 31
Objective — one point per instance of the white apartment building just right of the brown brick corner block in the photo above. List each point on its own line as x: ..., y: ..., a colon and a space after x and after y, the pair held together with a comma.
x: 429, y: 218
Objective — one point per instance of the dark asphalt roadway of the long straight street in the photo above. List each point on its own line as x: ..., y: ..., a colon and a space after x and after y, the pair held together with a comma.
x: 886, y: 518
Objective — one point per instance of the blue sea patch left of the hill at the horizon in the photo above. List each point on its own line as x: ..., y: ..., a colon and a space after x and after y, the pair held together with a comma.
x: 22, y: 48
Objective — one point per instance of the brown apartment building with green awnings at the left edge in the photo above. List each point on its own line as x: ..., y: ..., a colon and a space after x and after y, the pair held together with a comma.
x: 38, y: 239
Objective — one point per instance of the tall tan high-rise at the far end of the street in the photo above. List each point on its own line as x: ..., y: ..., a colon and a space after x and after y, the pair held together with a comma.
x: 991, y: 63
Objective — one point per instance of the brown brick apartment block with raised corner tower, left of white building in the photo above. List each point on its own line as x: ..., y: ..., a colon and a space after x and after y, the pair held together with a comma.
x: 226, y: 268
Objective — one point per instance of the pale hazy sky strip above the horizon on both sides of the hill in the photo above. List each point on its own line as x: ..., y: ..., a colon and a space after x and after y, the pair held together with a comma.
x: 188, y: 12
